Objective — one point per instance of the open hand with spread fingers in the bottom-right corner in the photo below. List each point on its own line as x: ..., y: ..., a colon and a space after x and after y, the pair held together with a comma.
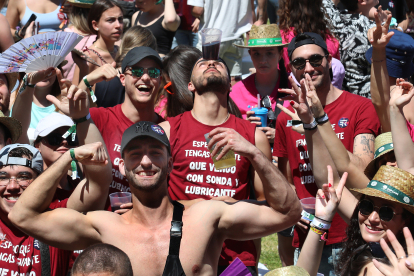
x: 402, y: 262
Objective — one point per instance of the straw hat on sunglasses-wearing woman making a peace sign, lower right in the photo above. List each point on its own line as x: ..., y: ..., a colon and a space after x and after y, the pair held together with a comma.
x: 393, y: 184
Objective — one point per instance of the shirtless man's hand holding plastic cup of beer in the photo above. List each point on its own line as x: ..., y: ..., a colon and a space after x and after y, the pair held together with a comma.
x: 229, y: 139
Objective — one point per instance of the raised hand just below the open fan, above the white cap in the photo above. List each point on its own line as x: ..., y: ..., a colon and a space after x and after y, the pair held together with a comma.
x: 74, y: 102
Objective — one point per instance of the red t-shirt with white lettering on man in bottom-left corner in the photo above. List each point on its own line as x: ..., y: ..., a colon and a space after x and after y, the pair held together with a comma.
x: 20, y: 254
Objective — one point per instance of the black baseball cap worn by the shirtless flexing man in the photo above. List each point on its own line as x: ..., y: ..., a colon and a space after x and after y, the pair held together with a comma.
x: 142, y: 129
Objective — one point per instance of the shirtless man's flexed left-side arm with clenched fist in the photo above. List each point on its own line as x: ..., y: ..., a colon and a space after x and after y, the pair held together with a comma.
x: 62, y: 227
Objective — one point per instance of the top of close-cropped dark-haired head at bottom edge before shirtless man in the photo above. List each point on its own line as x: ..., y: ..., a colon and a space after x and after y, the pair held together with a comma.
x: 102, y: 258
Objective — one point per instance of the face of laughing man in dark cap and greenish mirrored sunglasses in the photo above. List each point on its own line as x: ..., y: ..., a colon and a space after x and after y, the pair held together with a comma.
x: 144, y: 89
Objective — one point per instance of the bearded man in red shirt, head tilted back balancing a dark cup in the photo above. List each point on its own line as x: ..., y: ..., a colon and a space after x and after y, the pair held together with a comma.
x: 194, y: 175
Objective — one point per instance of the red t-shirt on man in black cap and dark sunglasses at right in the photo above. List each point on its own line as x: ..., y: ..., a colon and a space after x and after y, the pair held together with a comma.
x: 350, y: 115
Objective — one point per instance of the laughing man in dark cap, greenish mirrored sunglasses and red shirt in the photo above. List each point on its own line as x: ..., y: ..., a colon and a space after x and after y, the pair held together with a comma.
x: 141, y: 76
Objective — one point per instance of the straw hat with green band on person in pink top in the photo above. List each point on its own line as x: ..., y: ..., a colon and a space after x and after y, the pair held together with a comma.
x: 266, y: 35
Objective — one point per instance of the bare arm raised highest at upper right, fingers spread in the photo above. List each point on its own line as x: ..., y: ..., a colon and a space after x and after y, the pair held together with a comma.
x: 380, y: 84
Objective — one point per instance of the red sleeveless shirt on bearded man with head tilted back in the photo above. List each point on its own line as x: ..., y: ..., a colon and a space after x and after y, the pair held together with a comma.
x: 194, y: 176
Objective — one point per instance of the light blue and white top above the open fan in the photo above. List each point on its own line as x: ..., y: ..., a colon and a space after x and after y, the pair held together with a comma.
x: 49, y: 22
